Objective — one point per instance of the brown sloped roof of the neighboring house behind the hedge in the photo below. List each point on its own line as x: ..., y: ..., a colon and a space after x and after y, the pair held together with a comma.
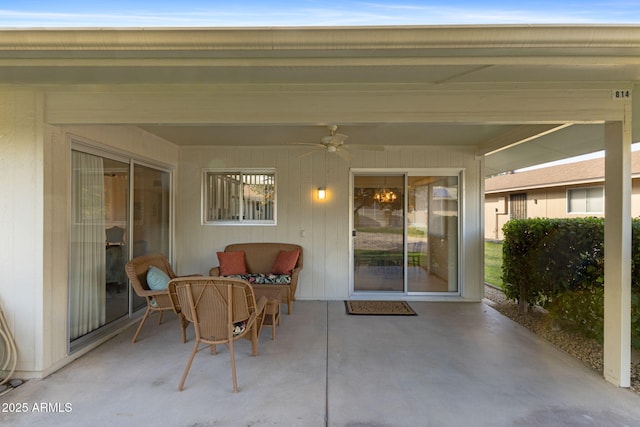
x: 574, y: 173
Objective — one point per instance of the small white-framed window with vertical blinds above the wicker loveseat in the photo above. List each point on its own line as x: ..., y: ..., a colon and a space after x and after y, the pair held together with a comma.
x: 239, y: 197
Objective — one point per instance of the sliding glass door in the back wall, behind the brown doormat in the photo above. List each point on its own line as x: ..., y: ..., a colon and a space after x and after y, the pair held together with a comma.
x: 405, y: 233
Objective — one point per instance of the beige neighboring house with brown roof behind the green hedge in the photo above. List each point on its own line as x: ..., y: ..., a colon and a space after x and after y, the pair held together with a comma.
x: 570, y: 190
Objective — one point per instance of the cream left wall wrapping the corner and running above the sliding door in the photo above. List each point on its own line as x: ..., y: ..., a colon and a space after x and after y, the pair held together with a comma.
x: 35, y: 175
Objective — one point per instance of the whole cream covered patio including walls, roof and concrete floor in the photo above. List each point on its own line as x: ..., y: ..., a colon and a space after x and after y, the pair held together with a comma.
x: 439, y: 101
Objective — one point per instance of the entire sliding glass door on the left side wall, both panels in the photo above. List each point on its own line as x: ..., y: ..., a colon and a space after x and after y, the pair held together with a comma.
x: 106, y: 233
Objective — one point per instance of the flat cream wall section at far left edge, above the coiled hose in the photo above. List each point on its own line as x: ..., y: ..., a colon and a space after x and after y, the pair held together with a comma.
x: 21, y: 222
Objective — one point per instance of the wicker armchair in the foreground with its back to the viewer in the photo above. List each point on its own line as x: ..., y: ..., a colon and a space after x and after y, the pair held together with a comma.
x: 222, y: 311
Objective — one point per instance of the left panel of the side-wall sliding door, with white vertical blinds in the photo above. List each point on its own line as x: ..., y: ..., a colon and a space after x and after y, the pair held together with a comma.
x: 98, y: 291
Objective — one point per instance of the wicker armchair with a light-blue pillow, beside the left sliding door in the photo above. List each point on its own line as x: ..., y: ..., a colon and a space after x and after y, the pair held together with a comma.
x: 157, y: 301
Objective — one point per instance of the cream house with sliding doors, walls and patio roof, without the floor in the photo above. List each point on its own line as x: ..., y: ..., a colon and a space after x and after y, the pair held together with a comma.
x: 189, y: 140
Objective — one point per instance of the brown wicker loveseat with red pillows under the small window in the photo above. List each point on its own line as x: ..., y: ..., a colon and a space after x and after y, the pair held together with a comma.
x: 260, y: 259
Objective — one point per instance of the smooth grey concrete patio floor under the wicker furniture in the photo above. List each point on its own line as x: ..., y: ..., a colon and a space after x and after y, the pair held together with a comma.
x: 455, y: 364
